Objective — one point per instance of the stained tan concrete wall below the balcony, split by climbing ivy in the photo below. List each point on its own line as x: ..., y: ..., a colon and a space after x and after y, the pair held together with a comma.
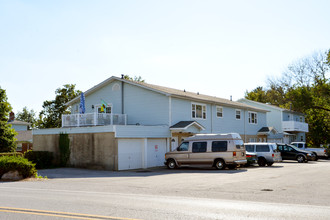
x: 89, y: 150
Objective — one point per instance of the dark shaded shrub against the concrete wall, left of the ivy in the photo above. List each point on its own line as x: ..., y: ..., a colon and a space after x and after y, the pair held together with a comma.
x: 42, y: 159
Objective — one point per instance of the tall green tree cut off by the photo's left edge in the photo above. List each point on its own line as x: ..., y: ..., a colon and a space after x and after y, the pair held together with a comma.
x: 7, y: 134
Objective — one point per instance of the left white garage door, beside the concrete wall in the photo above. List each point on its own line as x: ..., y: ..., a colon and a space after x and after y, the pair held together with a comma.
x: 130, y: 154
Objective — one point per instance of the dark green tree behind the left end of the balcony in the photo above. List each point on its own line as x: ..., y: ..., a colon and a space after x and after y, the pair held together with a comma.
x: 51, y: 115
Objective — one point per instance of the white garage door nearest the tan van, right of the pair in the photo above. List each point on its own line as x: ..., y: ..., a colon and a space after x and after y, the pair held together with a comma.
x: 156, y: 152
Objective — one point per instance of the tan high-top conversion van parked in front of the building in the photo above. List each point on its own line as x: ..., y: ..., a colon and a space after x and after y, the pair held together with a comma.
x: 218, y: 150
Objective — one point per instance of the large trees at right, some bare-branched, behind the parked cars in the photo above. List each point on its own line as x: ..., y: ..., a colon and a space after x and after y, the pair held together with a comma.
x: 305, y: 87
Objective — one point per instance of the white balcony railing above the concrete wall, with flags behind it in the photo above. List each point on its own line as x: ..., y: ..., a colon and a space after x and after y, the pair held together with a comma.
x: 93, y: 119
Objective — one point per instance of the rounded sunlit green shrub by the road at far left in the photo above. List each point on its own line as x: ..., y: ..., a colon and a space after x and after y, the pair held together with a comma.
x: 11, y: 163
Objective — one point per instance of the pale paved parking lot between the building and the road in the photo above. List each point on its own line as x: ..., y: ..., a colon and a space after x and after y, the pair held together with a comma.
x: 289, y: 182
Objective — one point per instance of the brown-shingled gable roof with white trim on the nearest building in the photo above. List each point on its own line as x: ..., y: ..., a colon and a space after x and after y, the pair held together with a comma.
x: 182, y: 94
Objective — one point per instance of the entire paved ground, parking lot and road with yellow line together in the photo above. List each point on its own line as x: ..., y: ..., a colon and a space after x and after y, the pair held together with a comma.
x: 284, y: 191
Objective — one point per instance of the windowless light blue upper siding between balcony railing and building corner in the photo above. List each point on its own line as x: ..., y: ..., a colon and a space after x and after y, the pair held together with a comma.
x: 145, y: 107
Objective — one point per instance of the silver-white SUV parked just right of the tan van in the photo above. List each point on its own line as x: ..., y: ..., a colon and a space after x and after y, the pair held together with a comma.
x: 267, y: 153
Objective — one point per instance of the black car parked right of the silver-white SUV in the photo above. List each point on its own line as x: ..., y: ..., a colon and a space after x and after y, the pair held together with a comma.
x: 291, y: 152
